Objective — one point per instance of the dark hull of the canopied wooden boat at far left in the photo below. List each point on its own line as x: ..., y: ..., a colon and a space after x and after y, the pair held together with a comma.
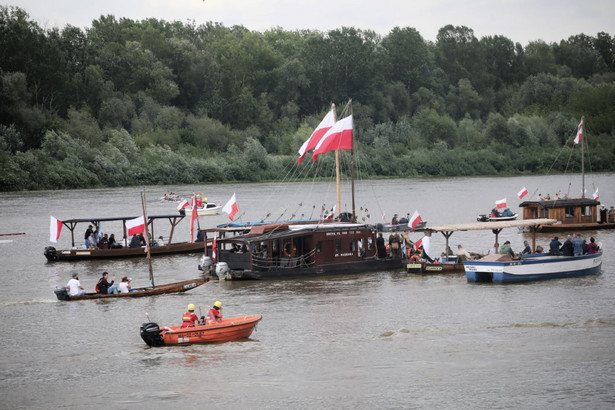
x: 70, y: 255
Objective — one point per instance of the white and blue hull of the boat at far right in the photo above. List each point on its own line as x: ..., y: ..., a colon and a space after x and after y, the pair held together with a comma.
x: 502, y: 268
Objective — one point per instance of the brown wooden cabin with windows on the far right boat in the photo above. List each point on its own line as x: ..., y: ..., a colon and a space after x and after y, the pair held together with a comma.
x: 569, y: 213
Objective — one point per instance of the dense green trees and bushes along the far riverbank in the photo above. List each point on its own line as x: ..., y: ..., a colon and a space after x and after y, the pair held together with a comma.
x: 151, y: 102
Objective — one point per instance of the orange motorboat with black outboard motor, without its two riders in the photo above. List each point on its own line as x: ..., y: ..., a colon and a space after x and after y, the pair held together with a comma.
x: 213, y: 331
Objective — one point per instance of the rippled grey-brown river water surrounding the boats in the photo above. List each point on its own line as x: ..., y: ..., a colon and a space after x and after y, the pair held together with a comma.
x: 375, y: 340
